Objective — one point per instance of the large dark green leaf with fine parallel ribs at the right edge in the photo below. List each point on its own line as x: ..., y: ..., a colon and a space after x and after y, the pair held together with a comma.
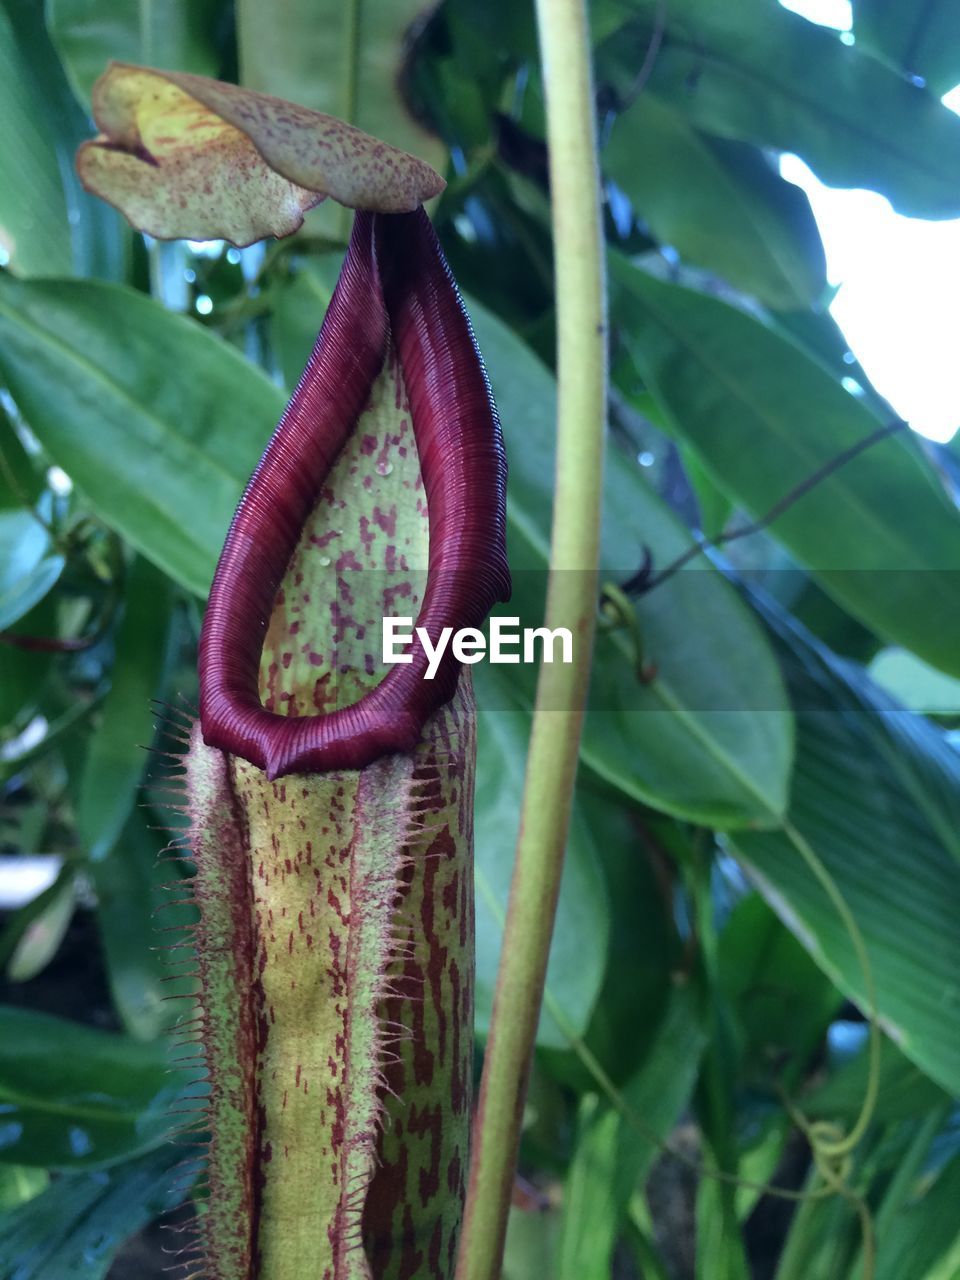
x: 858, y: 808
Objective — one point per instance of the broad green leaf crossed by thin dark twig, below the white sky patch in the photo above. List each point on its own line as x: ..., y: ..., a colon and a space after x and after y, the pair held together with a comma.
x: 880, y: 533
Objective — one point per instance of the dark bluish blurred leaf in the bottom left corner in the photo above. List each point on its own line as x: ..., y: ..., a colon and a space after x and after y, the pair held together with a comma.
x: 76, y: 1227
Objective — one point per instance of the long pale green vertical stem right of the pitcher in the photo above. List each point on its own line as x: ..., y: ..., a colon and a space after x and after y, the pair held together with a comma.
x: 572, y: 602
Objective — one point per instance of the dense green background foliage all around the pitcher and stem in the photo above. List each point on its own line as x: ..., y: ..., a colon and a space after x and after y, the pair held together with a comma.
x: 755, y: 716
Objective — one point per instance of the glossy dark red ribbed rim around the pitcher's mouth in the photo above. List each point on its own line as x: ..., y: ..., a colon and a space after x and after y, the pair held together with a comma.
x: 395, y: 289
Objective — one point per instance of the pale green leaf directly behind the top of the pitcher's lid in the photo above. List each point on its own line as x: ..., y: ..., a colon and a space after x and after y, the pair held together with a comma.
x: 310, y: 53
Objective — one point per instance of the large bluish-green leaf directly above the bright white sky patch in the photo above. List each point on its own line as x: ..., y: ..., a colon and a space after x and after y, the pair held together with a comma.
x: 755, y: 72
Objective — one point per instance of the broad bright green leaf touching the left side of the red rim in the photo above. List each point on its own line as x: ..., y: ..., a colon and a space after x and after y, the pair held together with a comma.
x: 159, y: 423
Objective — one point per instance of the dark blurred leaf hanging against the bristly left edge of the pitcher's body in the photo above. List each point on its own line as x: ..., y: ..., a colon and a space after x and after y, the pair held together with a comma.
x: 131, y: 884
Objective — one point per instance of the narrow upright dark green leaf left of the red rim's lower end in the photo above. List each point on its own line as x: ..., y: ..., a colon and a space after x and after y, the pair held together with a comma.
x: 116, y: 757
